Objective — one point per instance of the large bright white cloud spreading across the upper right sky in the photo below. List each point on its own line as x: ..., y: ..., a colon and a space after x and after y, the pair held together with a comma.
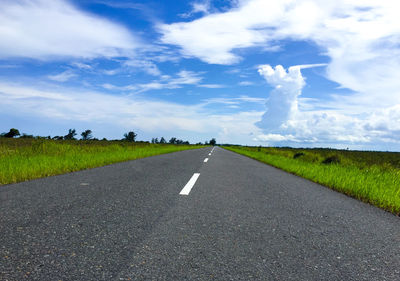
x: 362, y: 38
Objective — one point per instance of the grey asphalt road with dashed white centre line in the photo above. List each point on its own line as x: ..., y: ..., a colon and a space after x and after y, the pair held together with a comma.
x: 152, y: 219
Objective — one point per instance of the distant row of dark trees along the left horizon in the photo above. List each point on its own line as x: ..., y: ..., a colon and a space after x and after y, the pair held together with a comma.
x: 88, y: 135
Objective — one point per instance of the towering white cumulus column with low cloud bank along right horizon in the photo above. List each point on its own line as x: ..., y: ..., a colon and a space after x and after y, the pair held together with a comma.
x: 284, y: 122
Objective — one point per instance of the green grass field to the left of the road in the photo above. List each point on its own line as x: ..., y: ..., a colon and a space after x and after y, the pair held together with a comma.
x: 26, y: 159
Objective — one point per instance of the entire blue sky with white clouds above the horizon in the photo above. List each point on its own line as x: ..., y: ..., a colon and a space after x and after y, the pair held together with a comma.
x: 305, y: 73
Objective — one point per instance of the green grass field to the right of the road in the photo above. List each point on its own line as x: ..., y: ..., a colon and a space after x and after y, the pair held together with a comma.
x: 373, y: 177
